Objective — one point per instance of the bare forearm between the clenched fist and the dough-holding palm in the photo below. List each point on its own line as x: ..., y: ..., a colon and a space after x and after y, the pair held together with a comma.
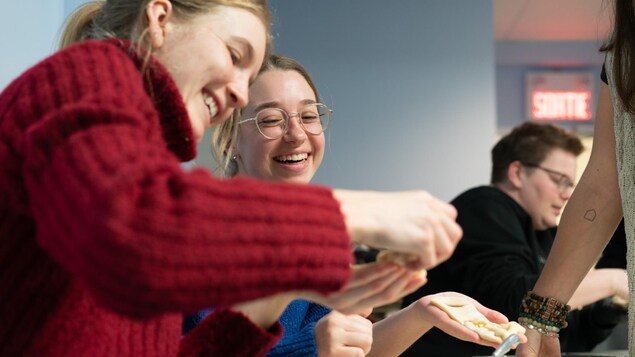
x: 396, y: 333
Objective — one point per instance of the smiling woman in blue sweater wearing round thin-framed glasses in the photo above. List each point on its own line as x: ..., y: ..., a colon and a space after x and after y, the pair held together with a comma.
x: 280, y: 136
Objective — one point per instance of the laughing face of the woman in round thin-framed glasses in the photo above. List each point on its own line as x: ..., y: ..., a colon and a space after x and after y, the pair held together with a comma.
x: 294, y: 157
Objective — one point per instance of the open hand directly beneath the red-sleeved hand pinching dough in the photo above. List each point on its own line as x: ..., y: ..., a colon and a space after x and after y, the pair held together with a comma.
x: 371, y: 285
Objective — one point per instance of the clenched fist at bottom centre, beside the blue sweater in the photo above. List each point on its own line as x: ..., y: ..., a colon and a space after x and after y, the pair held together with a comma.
x: 337, y: 334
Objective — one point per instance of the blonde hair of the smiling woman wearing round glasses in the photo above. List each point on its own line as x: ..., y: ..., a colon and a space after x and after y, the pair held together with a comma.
x: 225, y: 135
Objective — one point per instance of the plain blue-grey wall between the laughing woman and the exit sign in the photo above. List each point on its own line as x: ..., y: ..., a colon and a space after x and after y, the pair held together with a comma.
x: 412, y: 85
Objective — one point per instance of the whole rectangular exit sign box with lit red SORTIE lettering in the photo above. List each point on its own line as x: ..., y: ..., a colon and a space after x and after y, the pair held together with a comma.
x: 559, y: 95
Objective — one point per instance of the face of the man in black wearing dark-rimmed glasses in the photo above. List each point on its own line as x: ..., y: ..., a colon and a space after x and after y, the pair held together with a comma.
x: 539, y: 193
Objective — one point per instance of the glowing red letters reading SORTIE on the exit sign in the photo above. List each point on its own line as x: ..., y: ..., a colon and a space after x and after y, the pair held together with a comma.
x: 561, y: 105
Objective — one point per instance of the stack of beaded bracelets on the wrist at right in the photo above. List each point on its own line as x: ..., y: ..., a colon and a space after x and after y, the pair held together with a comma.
x: 545, y: 315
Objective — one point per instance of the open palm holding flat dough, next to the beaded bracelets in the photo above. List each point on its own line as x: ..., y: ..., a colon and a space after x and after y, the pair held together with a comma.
x: 429, y: 313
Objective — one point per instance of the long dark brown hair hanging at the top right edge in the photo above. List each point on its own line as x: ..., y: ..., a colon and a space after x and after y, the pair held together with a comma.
x: 622, y: 44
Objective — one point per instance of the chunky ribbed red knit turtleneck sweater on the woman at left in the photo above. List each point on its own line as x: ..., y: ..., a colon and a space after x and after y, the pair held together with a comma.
x: 105, y: 241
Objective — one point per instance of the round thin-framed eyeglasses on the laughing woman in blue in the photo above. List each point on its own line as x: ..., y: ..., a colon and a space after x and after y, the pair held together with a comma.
x: 273, y: 123
